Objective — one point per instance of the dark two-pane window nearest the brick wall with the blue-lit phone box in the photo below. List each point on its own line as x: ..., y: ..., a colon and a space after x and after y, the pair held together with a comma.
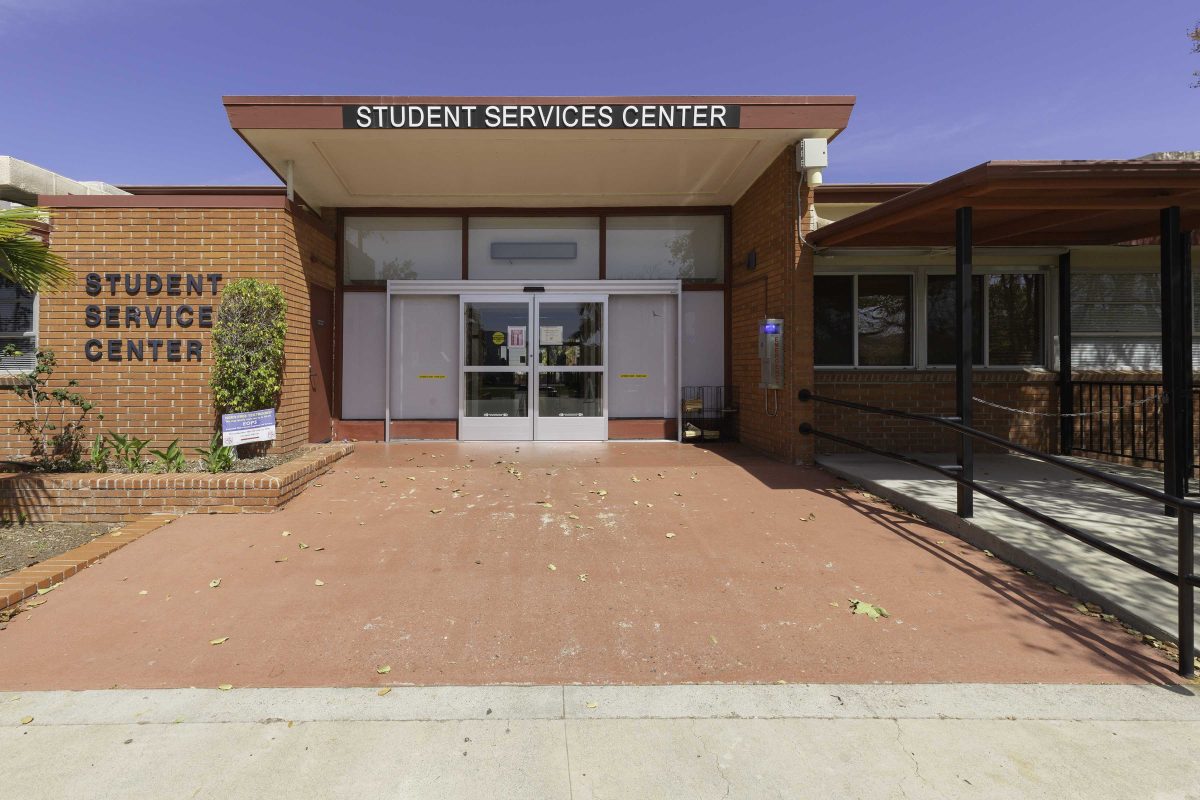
x: 863, y: 321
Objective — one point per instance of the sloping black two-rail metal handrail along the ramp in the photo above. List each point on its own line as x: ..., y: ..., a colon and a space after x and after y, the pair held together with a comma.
x: 1184, y: 578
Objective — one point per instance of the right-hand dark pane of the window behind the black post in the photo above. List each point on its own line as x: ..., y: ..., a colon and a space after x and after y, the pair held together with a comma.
x: 1015, y: 321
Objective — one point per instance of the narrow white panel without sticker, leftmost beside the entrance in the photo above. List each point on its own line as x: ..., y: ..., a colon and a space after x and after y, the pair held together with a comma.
x: 363, y: 354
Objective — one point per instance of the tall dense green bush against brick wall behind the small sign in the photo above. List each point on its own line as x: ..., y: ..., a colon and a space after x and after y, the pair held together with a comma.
x: 248, y: 362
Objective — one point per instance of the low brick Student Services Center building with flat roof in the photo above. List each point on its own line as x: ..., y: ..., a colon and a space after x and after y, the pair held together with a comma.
x: 577, y: 268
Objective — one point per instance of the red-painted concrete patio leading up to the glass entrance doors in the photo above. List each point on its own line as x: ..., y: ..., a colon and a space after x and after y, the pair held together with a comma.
x: 435, y: 561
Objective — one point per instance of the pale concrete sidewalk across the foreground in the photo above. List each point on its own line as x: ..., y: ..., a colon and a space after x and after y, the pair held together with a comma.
x: 607, y: 742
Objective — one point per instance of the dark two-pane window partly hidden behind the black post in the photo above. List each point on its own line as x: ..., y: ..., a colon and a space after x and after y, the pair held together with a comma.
x: 1011, y: 334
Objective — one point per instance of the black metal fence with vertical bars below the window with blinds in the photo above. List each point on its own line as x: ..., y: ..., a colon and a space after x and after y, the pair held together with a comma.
x: 1123, y: 419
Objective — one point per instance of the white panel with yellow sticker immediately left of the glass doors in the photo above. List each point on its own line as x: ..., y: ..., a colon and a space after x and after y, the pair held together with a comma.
x: 425, y: 358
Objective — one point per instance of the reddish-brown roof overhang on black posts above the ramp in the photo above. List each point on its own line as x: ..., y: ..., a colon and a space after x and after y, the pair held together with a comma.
x: 1042, y: 203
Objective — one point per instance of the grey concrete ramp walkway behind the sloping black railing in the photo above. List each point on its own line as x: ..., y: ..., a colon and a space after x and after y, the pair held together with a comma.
x: 1118, y: 518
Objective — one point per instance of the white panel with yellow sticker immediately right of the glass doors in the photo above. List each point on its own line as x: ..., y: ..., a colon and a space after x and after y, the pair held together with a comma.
x: 641, y: 342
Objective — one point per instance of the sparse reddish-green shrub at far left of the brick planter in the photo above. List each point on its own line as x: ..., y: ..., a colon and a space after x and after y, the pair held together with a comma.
x: 59, y: 416
